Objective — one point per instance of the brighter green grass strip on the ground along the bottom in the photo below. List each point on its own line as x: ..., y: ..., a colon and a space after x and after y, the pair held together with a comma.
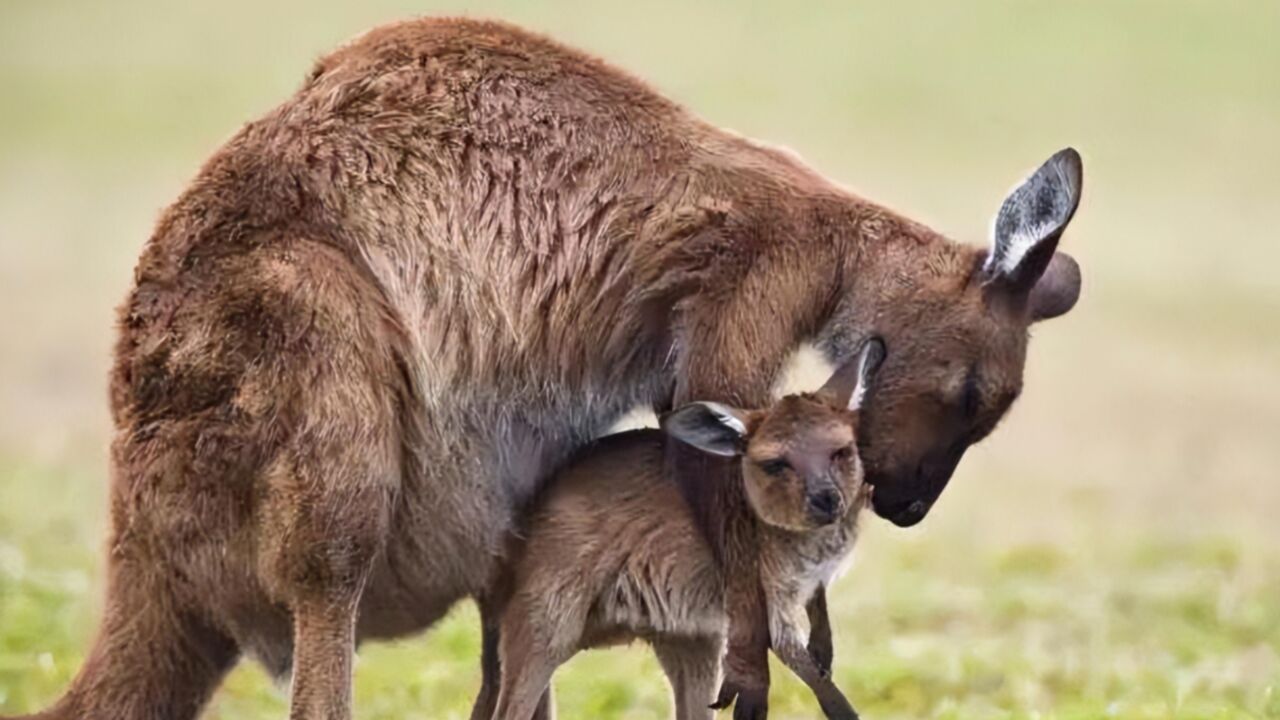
x: 1142, y: 628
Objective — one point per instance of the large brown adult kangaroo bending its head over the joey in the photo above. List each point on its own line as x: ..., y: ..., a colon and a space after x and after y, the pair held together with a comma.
x: 382, y: 315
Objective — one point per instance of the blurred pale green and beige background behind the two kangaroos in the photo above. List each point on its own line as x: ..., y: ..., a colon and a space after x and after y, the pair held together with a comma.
x: 1110, y: 552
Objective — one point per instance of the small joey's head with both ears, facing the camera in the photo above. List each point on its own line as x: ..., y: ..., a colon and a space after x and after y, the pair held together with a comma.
x: 801, y: 463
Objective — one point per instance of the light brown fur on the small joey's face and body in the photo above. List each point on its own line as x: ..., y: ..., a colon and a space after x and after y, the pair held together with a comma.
x: 612, y: 554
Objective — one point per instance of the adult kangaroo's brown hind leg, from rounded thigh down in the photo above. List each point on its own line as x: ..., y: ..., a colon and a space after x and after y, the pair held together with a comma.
x: 330, y: 388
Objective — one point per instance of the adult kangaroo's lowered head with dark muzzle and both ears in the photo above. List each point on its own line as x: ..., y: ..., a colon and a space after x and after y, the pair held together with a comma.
x: 957, y: 320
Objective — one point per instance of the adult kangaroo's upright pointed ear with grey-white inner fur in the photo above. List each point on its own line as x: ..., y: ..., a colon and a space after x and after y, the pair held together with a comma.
x: 1032, y: 221
